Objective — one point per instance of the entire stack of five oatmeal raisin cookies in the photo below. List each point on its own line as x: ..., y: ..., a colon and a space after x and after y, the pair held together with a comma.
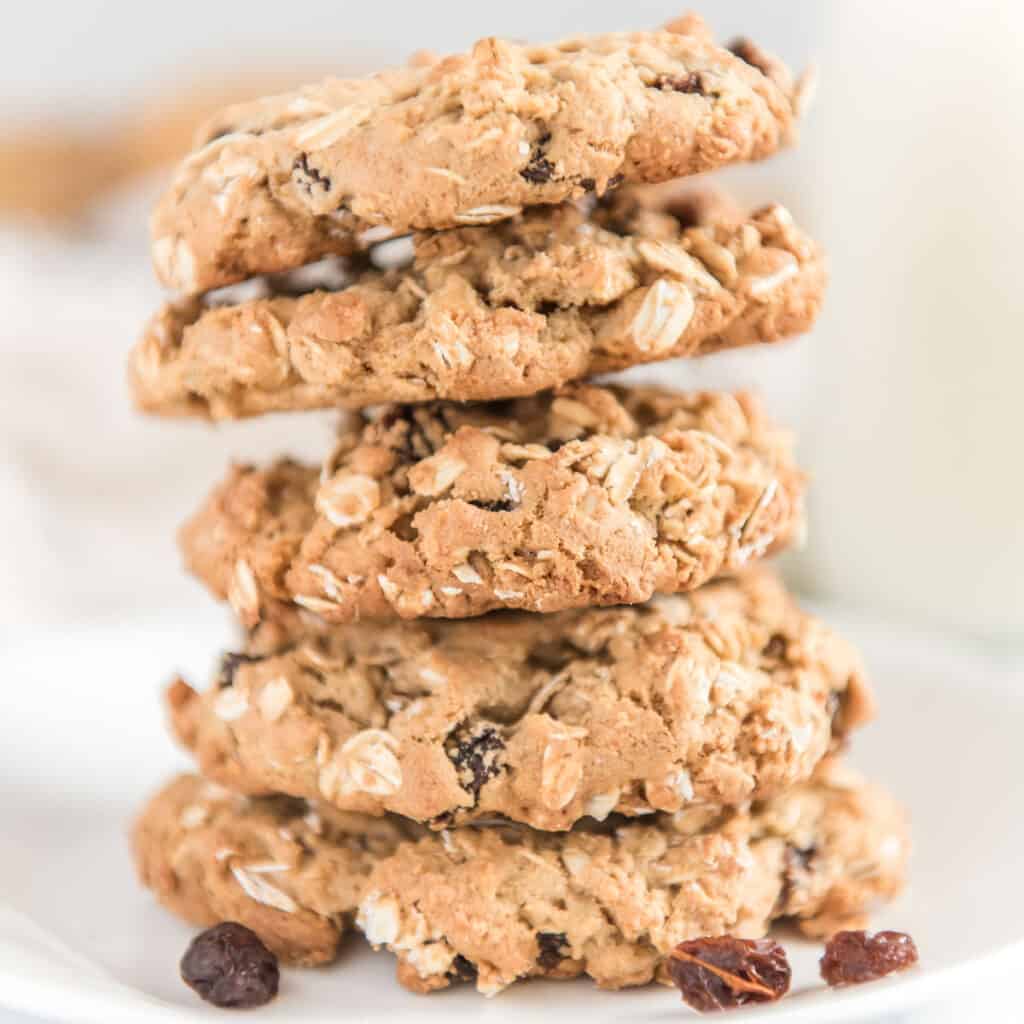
x: 515, y: 698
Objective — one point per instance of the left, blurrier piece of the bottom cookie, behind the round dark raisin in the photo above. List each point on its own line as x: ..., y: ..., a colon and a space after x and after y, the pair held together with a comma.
x: 292, y: 874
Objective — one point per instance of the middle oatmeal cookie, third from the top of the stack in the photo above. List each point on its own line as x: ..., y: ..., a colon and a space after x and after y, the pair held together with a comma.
x: 585, y: 497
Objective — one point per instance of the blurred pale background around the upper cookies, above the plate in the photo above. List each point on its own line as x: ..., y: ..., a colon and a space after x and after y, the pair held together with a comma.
x: 907, y: 397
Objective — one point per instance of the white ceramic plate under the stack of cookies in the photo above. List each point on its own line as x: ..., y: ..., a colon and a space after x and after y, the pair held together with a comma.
x: 82, y: 743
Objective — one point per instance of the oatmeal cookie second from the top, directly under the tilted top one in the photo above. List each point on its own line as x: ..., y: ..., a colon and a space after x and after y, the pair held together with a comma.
x: 497, y: 312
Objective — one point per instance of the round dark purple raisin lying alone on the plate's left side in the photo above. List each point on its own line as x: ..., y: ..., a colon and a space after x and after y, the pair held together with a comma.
x: 229, y: 966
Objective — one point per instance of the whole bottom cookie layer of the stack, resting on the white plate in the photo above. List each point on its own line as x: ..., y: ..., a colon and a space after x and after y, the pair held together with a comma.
x: 494, y: 904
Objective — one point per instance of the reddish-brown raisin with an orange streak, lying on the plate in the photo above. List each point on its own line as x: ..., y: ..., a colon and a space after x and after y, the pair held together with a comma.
x: 722, y: 972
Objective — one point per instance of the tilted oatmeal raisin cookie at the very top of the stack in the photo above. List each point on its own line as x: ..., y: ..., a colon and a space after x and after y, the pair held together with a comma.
x: 470, y: 140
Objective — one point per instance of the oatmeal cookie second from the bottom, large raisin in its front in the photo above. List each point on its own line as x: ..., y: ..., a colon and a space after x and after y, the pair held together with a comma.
x: 729, y: 695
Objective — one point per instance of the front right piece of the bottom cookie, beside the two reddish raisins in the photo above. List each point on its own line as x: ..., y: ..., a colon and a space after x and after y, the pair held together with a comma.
x: 495, y: 906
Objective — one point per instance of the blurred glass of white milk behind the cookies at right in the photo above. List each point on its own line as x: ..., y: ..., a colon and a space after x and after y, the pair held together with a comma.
x: 909, y: 398
